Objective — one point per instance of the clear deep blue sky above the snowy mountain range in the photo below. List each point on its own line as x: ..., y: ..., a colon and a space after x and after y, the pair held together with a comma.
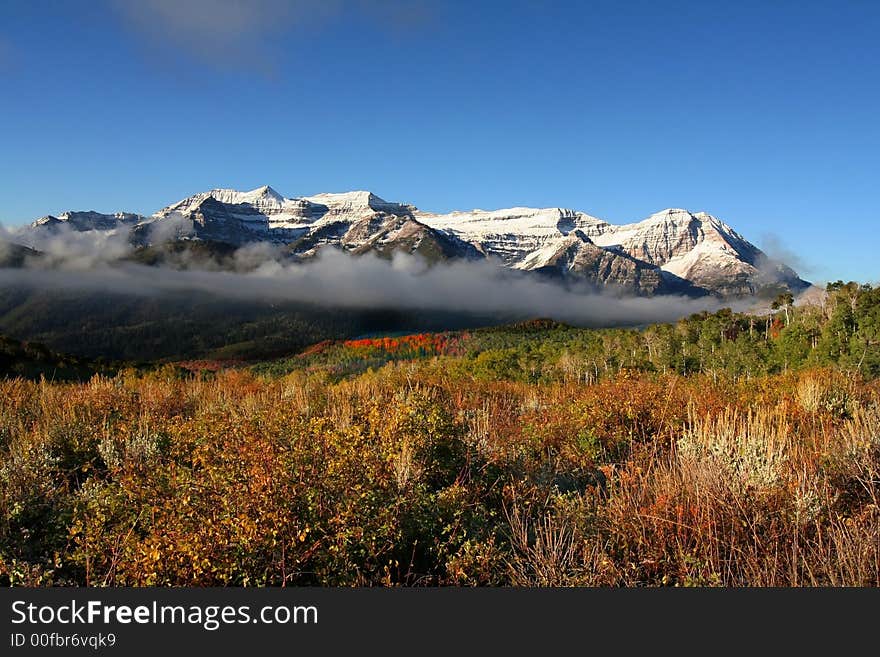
x: 766, y: 114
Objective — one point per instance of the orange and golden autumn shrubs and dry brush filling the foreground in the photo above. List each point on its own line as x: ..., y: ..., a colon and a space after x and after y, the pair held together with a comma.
x: 429, y: 473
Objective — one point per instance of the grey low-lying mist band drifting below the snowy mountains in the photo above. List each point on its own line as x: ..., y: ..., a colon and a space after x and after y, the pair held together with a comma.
x: 95, y: 262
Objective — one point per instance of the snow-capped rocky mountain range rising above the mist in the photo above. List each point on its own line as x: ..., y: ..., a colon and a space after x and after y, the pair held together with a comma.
x: 670, y: 251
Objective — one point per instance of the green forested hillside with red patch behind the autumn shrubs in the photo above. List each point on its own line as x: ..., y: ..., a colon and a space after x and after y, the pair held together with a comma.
x: 841, y: 330
